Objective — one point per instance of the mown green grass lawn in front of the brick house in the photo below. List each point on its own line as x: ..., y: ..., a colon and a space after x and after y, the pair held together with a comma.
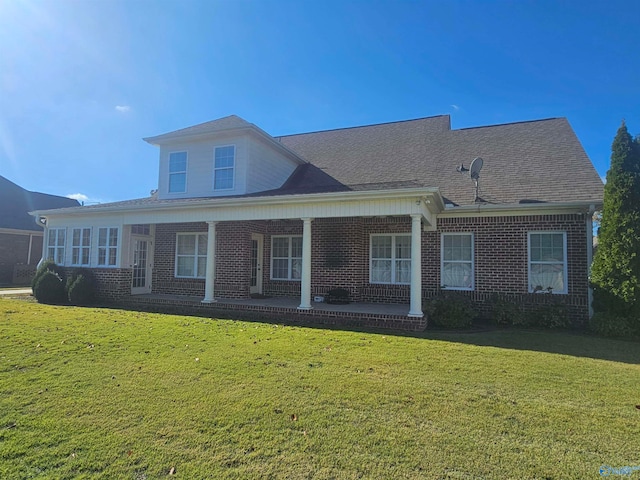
x: 101, y: 393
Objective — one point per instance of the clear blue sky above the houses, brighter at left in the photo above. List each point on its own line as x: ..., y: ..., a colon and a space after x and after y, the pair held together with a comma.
x: 81, y: 82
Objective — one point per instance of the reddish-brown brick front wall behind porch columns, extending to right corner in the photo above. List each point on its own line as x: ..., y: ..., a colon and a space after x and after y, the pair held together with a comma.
x: 340, y: 258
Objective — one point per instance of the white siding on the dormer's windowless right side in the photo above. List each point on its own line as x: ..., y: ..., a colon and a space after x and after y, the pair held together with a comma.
x: 268, y: 169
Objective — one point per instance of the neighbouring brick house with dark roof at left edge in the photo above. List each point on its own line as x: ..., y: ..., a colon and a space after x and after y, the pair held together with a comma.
x: 20, y: 236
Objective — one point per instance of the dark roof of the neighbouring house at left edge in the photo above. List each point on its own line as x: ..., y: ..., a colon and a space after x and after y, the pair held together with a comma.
x: 16, y: 203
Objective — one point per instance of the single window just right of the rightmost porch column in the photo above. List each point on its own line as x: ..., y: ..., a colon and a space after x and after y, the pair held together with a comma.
x: 456, y: 269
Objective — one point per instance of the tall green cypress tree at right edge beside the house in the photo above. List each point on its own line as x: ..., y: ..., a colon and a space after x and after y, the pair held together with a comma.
x: 615, y: 273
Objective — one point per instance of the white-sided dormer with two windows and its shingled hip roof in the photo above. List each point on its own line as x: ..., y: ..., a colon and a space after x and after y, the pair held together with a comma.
x: 224, y: 157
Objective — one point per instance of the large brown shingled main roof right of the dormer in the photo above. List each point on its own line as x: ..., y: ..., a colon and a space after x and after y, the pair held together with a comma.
x: 527, y: 162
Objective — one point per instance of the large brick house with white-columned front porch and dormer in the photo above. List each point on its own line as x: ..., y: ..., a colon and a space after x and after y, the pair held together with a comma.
x: 379, y: 210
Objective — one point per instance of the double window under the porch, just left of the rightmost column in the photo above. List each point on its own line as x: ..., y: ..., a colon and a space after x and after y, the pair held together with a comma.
x: 390, y: 259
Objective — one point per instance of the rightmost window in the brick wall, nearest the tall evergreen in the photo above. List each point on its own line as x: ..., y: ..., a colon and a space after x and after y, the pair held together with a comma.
x: 548, y: 262
